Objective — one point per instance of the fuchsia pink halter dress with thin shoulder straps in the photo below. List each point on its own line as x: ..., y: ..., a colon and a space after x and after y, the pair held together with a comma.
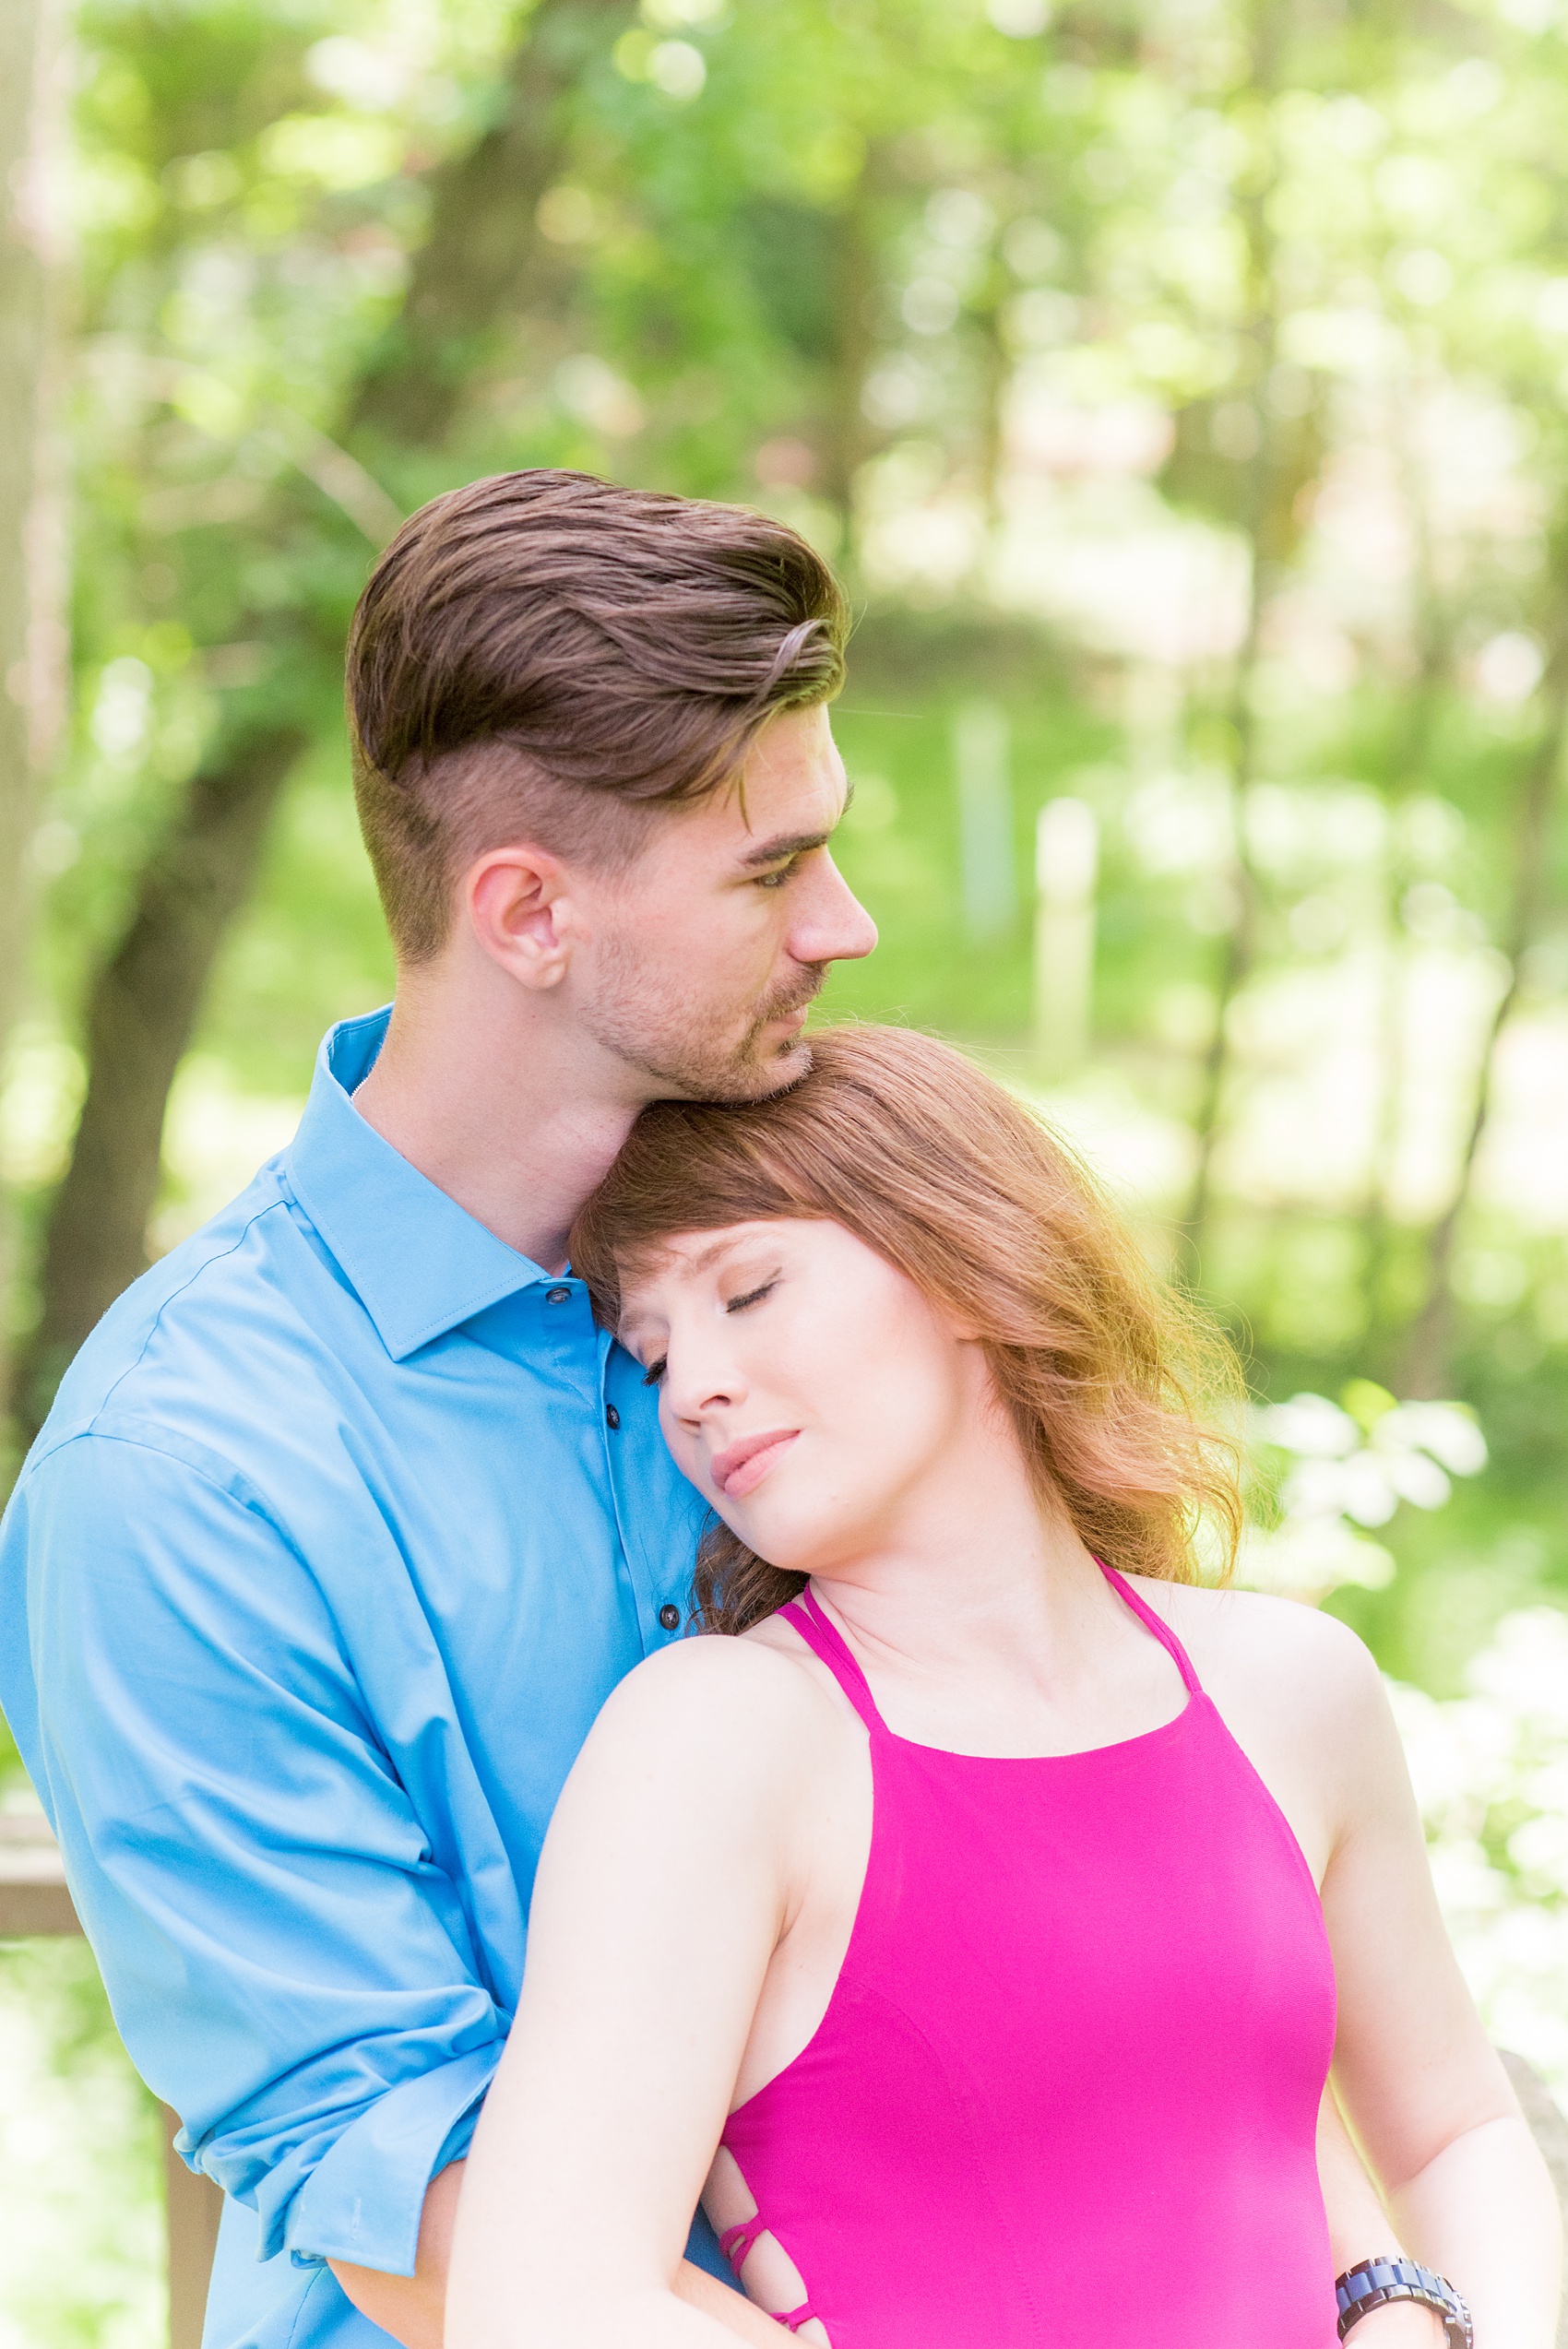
x: 1066, y: 2089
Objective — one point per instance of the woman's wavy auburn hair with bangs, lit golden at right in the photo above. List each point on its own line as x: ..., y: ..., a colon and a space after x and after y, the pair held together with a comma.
x: 1108, y: 1375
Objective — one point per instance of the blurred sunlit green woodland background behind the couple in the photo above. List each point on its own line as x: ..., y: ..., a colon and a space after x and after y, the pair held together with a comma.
x: 1179, y: 389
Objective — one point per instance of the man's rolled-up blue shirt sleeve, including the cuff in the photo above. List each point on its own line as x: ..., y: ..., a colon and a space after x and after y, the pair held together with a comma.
x: 286, y: 1963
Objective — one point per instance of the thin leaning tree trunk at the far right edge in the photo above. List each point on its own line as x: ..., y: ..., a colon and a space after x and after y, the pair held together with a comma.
x: 1430, y: 1347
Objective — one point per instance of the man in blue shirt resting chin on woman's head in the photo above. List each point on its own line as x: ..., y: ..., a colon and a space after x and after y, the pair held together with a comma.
x: 347, y: 1519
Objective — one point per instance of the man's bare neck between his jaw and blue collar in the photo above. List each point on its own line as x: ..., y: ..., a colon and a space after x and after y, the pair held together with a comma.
x: 509, y: 1124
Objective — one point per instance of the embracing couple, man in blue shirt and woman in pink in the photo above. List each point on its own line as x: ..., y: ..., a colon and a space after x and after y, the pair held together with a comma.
x: 768, y: 1467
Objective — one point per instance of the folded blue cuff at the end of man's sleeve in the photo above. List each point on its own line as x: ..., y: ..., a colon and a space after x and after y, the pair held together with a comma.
x: 366, y: 2197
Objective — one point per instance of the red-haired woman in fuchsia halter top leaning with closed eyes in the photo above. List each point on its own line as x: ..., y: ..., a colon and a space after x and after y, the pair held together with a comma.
x: 974, y: 1925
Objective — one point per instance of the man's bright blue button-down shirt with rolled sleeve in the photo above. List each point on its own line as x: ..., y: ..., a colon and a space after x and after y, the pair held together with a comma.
x: 342, y: 1530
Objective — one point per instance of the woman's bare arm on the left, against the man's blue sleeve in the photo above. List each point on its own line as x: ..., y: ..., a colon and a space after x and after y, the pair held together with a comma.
x: 662, y: 1894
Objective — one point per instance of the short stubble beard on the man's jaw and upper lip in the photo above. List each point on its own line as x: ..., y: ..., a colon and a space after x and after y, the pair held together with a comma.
x: 692, y: 1054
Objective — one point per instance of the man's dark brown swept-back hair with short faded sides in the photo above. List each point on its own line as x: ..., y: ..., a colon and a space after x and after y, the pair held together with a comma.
x: 549, y: 657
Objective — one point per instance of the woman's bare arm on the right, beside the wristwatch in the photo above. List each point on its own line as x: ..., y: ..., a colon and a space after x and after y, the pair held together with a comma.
x: 1414, y: 2071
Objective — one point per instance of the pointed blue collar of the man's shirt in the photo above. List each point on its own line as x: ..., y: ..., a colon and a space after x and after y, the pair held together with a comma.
x: 417, y: 1260
